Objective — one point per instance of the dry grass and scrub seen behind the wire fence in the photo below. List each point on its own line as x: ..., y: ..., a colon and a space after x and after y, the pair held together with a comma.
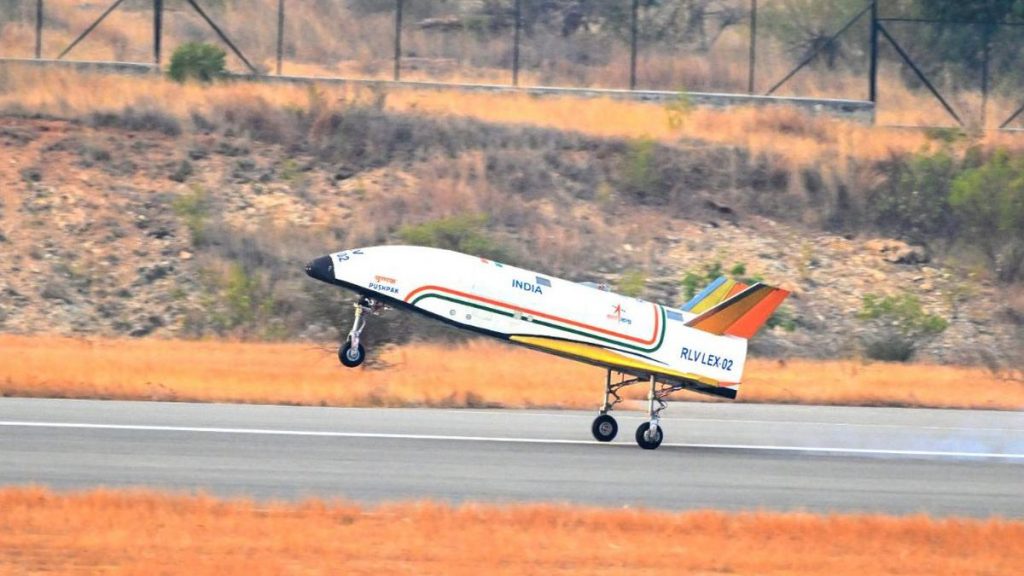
x: 356, y: 39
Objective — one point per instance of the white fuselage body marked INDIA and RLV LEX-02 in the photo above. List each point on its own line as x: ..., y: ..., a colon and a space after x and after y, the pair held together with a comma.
x: 504, y: 302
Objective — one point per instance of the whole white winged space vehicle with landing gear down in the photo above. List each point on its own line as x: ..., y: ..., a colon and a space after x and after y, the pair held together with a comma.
x: 701, y: 347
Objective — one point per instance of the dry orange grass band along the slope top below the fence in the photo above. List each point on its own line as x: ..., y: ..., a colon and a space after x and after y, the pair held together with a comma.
x: 790, y: 135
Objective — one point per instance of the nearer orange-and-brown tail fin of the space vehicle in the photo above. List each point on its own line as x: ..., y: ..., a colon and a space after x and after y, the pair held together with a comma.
x: 742, y: 315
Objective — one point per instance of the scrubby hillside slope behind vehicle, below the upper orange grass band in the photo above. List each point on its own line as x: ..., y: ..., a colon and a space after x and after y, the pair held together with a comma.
x: 139, y: 224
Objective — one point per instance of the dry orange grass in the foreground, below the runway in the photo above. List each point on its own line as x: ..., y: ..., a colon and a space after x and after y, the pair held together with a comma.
x: 140, y: 532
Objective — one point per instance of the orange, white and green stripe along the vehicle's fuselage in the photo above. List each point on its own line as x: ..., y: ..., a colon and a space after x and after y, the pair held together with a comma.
x: 564, y: 324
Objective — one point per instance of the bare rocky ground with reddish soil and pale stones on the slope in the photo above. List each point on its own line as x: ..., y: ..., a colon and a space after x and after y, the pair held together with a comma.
x: 129, y: 232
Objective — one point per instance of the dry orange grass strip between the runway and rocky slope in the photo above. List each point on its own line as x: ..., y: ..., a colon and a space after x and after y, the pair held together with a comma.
x: 480, y: 374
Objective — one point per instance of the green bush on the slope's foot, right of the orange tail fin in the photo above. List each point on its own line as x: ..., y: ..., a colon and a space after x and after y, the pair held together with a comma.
x: 900, y: 325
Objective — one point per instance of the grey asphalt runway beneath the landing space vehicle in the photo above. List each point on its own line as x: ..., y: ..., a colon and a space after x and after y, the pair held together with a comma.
x: 730, y: 457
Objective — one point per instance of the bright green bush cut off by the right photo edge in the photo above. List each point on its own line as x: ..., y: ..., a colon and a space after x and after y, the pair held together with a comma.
x: 989, y: 201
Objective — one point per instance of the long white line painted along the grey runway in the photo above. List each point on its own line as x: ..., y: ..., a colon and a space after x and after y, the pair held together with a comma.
x: 324, y: 434
